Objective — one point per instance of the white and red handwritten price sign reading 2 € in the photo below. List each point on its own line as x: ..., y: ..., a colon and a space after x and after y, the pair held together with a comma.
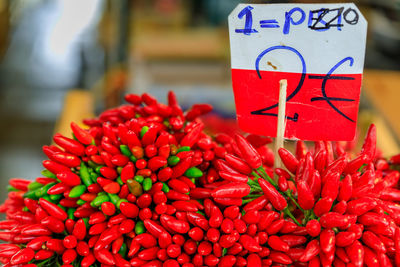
x: 318, y: 48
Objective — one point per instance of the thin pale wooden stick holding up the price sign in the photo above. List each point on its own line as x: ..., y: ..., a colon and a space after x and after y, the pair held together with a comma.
x: 280, y: 132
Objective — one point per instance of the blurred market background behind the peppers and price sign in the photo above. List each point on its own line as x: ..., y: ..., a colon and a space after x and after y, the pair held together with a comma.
x: 63, y: 60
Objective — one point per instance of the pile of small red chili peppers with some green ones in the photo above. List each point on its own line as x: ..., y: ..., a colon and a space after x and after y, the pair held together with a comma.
x: 144, y: 185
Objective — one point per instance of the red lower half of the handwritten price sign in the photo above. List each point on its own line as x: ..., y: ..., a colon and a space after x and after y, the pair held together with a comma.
x: 319, y: 107
